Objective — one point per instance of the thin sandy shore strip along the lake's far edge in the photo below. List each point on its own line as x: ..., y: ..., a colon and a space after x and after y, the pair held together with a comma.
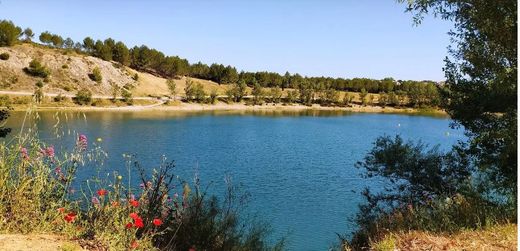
x: 193, y: 107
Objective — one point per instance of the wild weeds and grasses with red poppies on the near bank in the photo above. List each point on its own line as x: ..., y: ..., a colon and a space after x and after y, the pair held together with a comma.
x: 41, y: 193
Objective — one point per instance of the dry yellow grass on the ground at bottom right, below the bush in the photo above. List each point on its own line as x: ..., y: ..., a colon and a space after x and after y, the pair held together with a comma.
x: 500, y: 237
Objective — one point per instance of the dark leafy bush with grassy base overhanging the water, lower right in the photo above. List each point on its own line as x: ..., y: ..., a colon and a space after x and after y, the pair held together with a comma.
x: 424, y: 189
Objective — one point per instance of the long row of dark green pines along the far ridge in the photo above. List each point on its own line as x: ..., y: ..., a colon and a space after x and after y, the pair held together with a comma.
x: 143, y: 58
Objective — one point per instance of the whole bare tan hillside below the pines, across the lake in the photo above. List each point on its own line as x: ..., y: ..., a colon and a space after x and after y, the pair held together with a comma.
x: 70, y: 71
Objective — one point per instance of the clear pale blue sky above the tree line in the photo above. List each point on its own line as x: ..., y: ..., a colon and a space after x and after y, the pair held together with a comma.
x: 363, y: 38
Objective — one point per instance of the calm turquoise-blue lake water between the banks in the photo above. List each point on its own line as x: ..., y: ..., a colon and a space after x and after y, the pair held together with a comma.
x: 298, y: 167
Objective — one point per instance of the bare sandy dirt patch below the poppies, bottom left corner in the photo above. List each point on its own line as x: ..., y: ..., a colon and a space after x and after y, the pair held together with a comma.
x: 41, y: 242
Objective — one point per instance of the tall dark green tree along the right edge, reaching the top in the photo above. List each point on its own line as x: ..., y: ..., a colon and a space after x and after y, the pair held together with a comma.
x: 481, y: 85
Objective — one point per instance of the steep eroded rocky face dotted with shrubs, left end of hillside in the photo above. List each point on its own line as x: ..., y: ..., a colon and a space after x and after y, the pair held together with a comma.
x: 69, y: 71
